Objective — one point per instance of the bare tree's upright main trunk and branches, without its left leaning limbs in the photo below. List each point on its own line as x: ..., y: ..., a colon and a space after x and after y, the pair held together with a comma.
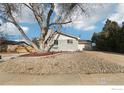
x: 53, y: 16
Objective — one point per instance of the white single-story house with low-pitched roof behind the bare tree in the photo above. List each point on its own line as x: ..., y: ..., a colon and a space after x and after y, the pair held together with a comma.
x: 64, y: 42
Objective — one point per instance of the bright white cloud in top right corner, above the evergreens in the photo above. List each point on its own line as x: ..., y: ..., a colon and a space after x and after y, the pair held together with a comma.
x: 119, y: 14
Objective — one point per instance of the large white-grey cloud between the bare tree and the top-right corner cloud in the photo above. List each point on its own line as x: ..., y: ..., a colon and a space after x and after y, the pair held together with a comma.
x: 96, y: 13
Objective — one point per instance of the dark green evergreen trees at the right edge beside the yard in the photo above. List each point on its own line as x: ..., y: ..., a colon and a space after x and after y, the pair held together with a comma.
x: 111, y: 38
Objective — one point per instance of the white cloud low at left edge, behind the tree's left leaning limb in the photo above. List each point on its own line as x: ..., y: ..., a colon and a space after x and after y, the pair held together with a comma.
x: 10, y: 29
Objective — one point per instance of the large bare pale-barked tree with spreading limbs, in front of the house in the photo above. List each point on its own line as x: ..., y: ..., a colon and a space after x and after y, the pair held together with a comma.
x: 48, y: 16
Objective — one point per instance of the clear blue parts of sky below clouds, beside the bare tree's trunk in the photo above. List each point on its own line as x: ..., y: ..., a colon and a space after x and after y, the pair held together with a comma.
x: 34, y: 31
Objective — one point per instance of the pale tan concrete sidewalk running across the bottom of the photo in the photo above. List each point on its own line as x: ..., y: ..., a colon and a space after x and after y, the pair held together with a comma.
x: 62, y: 79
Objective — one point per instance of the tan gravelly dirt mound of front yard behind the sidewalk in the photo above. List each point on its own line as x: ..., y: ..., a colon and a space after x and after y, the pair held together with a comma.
x: 61, y: 64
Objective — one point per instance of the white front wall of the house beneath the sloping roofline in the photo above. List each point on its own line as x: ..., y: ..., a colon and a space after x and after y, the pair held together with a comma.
x: 63, y: 45
